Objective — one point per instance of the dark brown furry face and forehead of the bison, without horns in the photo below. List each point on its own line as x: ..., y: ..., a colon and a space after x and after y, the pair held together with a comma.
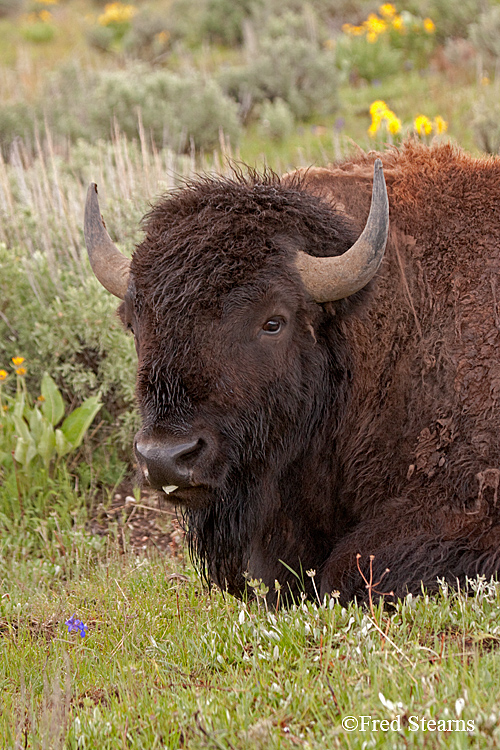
x: 233, y: 355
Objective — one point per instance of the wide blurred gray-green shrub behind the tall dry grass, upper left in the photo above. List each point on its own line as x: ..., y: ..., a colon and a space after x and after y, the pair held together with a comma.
x: 175, y: 110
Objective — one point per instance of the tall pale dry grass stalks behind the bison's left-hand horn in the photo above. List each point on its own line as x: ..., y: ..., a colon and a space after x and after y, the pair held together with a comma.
x: 42, y: 198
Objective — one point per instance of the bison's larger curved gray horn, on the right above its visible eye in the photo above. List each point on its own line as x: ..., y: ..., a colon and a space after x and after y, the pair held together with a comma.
x: 328, y: 279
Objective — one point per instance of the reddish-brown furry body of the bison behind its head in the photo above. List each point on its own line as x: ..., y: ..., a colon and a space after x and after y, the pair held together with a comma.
x: 422, y: 427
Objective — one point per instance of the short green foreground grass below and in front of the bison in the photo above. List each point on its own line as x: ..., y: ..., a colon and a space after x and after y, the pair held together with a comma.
x: 166, y: 664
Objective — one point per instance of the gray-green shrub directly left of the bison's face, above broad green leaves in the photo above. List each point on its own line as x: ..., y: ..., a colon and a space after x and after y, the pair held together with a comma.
x: 74, y: 335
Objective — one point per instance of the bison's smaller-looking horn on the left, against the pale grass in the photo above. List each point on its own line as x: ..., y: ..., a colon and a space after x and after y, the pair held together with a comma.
x: 110, y: 266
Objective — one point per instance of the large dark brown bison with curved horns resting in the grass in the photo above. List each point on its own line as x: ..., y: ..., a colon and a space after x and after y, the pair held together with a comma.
x: 307, y: 401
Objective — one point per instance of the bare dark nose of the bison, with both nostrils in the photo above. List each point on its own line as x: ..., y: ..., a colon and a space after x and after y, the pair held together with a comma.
x: 168, y: 464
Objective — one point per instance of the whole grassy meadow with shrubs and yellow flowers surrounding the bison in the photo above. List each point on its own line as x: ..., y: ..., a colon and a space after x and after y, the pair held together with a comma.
x: 108, y: 638
